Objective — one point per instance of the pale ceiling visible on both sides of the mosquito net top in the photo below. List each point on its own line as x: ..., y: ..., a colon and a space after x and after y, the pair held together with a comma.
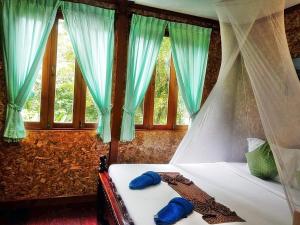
x: 201, y: 8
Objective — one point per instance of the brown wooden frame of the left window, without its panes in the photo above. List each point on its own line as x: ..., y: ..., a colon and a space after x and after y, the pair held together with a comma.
x: 48, y: 91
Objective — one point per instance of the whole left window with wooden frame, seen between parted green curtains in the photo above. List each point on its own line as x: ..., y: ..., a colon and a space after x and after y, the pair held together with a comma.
x: 60, y: 98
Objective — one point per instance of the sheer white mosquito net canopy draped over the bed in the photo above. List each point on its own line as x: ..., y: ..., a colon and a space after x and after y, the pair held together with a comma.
x: 257, y: 94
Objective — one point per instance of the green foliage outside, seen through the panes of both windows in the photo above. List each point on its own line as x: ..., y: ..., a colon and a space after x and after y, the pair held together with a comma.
x: 64, y: 90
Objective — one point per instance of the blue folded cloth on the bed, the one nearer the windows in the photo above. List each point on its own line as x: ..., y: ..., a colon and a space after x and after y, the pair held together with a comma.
x: 146, y: 179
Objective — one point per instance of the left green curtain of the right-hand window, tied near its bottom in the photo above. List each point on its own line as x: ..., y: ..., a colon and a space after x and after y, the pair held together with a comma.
x: 145, y: 38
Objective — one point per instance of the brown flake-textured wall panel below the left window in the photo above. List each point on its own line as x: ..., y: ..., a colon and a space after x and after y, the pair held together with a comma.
x: 50, y: 163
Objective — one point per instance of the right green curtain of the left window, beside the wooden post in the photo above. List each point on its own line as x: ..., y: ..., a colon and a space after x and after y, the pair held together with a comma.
x: 91, y: 31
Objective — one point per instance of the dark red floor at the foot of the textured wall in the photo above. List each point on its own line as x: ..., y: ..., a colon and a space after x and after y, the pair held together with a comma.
x: 67, y: 215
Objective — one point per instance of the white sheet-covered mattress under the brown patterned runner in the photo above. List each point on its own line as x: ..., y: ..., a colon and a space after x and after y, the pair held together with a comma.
x: 258, y: 202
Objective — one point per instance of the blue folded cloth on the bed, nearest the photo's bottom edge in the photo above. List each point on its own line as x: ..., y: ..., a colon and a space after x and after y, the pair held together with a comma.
x: 176, y: 209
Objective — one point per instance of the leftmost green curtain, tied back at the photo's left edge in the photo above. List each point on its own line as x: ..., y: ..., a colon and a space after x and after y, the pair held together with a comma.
x: 25, y: 27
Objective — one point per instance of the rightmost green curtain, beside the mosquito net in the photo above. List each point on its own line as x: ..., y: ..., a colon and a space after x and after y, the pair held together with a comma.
x: 190, y: 46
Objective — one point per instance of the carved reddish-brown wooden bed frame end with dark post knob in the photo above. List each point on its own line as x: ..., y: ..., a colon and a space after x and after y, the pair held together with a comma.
x: 111, y: 208
